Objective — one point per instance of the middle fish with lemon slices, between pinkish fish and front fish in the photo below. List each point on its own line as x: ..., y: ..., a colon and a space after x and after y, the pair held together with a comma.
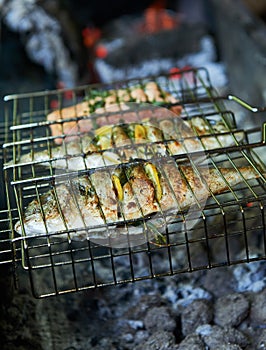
x: 115, y: 144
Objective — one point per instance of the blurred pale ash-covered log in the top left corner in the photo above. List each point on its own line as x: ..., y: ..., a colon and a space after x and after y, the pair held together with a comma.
x: 43, y: 38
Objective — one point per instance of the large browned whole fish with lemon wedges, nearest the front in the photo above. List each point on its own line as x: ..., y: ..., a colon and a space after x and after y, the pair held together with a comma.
x: 87, y: 209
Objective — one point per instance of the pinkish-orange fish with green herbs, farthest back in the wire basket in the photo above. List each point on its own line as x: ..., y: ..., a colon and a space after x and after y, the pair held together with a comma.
x: 99, y: 103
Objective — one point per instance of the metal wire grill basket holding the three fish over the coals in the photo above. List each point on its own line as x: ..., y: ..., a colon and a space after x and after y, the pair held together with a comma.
x: 231, y: 228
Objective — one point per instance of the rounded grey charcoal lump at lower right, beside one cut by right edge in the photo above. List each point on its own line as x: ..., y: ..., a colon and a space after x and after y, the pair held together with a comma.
x: 231, y: 309
